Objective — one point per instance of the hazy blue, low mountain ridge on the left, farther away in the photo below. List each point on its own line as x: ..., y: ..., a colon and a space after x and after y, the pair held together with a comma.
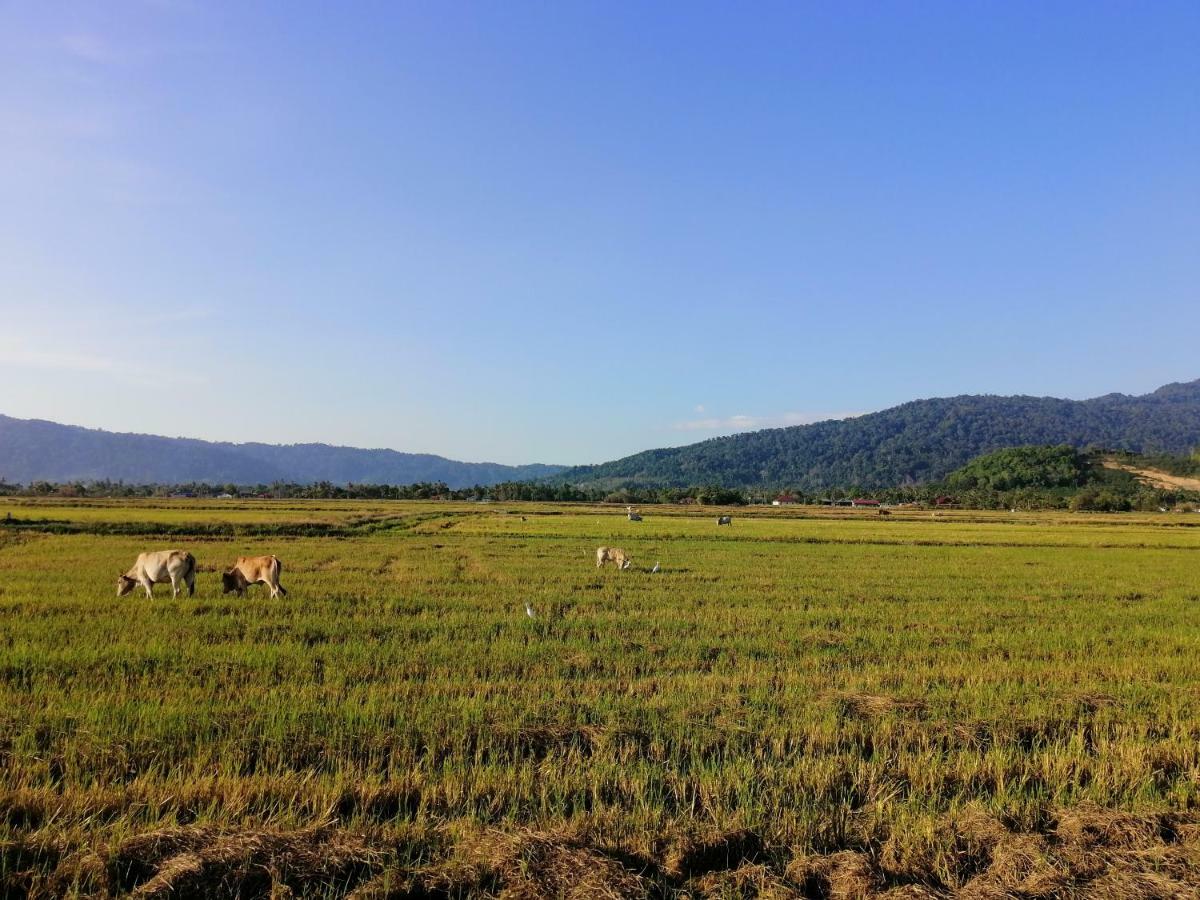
x: 33, y: 451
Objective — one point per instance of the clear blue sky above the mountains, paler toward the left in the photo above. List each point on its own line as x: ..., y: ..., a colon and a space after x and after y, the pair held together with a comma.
x: 567, y: 232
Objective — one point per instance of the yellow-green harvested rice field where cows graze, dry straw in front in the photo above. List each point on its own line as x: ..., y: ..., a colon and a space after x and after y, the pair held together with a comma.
x: 825, y: 705
